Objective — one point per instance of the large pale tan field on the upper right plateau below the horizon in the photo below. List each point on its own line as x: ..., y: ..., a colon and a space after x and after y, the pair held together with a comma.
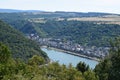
x: 109, y: 19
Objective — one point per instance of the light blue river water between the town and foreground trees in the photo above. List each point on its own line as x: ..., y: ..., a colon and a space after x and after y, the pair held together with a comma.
x: 65, y: 58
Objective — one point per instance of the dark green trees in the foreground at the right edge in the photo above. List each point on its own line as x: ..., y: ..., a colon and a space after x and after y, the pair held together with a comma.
x: 109, y: 68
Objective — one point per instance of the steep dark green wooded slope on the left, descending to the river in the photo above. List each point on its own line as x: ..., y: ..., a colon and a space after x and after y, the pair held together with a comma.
x: 20, y: 46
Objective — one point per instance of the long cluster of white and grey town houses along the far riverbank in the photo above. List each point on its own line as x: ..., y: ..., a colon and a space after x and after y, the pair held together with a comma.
x: 91, y: 51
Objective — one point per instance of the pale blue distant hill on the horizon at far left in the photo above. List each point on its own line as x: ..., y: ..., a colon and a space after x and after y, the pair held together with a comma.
x: 17, y: 11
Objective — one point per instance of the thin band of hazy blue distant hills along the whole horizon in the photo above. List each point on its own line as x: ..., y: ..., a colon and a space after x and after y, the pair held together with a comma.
x: 58, y: 13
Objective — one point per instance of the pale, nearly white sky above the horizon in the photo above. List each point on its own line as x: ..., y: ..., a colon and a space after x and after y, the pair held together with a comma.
x: 110, y: 6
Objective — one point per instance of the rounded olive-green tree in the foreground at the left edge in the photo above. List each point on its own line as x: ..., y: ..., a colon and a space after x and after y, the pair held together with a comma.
x: 6, y: 62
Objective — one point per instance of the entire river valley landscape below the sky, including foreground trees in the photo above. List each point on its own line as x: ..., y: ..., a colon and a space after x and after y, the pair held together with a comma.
x: 82, y: 46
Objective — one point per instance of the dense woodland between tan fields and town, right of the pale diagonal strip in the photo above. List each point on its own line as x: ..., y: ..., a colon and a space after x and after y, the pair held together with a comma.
x: 88, y: 33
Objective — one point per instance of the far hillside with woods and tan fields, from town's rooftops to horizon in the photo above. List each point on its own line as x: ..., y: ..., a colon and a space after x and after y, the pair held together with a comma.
x: 92, y: 29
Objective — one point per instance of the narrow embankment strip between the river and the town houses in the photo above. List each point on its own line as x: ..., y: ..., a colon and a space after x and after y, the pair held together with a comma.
x: 72, y: 53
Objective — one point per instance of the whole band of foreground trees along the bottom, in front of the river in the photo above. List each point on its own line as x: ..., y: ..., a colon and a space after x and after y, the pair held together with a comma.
x: 37, y: 69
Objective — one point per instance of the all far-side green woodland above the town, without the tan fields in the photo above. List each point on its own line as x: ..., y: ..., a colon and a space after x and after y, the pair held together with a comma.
x: 83, y: 32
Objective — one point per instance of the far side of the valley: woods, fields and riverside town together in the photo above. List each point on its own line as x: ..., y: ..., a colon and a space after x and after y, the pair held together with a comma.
x: 87, y: 34
